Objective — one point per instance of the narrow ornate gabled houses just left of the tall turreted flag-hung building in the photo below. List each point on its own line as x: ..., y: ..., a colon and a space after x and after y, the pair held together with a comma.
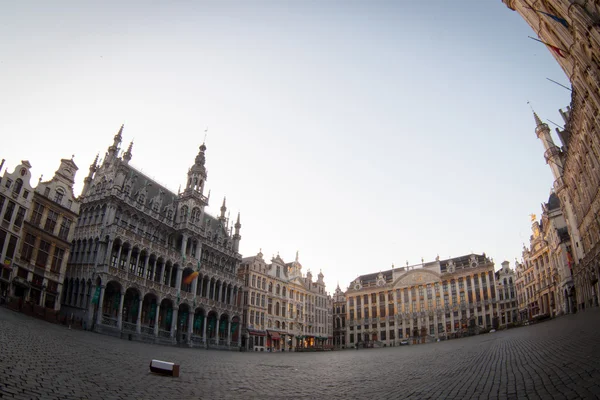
x: 545, y: 279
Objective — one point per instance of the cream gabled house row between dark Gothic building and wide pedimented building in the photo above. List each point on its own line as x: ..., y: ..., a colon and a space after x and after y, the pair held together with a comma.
x: 284, y: 310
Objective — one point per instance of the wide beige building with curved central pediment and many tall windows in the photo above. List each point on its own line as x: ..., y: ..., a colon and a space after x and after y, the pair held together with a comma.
x: 429, y: 301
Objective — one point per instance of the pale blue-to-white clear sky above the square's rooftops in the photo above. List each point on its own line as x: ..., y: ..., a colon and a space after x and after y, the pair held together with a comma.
x: 360, y: 133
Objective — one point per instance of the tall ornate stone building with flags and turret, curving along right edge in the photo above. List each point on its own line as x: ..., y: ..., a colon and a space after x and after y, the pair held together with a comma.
x: 570, y: 31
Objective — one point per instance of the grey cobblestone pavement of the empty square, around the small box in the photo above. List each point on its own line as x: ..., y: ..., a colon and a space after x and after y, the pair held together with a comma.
x: 554, y: 359
